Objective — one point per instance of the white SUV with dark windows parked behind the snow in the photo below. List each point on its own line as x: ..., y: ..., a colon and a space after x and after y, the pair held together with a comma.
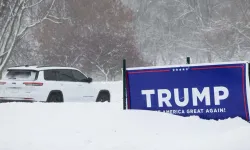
x: 49, y: 84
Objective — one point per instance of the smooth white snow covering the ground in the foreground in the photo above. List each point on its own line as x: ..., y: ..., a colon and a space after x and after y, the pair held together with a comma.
x: 105, y: 126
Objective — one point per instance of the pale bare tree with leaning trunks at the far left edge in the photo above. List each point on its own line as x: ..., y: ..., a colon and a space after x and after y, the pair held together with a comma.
x: 17, y: 18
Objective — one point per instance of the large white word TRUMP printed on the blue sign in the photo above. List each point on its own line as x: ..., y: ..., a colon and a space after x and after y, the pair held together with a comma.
x: 164, y: 96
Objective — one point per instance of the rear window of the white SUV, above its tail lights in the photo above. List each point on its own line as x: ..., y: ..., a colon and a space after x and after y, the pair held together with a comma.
x: 27, y: 75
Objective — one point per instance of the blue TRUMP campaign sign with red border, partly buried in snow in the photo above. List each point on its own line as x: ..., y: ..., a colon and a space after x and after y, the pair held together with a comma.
x: 211, y: 91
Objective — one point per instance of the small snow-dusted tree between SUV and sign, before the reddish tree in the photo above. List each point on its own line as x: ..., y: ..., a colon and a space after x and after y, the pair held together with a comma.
x: 105, y: 53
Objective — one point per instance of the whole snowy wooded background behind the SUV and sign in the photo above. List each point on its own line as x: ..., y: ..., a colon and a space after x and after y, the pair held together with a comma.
x: 95, y: 35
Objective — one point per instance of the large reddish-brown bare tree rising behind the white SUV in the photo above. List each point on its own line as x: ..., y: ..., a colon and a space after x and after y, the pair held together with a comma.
x: 96, y: 40
